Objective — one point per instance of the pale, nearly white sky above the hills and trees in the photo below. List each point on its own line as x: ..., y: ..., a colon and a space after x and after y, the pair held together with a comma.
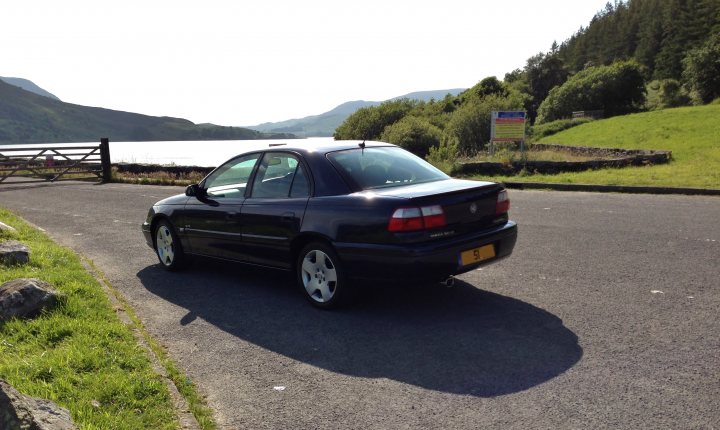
x: 241, y: 63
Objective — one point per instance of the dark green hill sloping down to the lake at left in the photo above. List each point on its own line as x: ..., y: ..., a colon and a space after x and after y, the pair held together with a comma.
x: 26, y: 117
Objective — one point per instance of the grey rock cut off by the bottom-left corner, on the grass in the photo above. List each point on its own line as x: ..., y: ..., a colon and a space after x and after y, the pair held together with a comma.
x: 22, y: 412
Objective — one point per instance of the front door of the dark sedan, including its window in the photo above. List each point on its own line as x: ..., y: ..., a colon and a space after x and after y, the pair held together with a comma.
x: 212, y: 220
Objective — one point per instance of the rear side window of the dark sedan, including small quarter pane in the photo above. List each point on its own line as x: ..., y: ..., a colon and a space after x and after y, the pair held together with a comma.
x: 280, y: 175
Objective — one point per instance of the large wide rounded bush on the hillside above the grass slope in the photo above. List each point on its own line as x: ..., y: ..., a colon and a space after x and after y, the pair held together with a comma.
x: 616, y: 89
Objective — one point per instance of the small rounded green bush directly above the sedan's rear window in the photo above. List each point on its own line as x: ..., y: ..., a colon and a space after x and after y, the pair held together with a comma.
x: 415, y: 134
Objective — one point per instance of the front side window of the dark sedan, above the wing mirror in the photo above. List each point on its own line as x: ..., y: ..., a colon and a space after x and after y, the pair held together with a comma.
x: 230, y: 180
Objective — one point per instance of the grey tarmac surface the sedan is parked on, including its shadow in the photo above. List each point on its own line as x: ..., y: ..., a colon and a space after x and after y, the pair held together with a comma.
x: 606, y: 316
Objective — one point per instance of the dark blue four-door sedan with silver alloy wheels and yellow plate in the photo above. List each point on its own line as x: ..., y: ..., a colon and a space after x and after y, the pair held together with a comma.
x: 339, y: 214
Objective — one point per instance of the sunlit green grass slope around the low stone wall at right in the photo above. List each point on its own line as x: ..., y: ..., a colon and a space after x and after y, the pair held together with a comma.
x: 691, y: 133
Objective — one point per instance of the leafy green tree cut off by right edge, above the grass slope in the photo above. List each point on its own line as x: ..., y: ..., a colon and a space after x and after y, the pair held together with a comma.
x: 702, y: 69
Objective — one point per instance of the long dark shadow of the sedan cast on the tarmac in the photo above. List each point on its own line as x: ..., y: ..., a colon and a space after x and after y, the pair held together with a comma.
x: 462, y: 340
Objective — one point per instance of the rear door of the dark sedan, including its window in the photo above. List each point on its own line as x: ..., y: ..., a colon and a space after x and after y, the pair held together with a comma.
x: 272, y: 214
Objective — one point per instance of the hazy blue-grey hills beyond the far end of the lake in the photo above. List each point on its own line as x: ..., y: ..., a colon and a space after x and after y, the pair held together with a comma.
x: 325, y: 124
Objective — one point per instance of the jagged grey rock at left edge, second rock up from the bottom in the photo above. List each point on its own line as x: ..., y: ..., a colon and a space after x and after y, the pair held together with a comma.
x: 26, y: 298
